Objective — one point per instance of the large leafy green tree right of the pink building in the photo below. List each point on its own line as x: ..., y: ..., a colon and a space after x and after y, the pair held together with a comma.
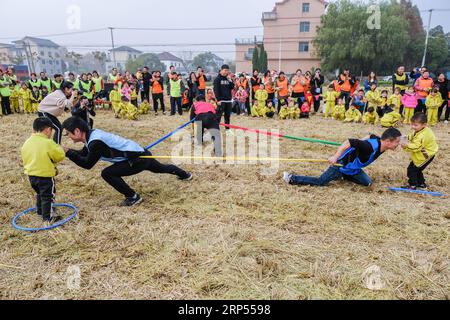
x: 344, y: 39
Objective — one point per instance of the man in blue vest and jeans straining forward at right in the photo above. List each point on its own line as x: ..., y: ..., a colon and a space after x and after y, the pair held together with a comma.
x: 353, y: 156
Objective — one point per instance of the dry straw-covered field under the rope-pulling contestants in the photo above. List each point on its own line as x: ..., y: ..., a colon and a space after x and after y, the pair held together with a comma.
x: 232, y: 233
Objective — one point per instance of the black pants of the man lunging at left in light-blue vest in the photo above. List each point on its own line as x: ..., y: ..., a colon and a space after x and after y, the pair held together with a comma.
x: 113, y: 174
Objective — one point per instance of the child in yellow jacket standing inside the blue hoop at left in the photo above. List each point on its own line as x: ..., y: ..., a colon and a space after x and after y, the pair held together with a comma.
x: 40, y: 154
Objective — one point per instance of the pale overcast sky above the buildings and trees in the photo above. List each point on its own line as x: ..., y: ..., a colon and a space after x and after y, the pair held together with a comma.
x: 46, y: 17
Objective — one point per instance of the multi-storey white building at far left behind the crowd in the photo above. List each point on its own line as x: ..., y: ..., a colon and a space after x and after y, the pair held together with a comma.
x: 42, y: 55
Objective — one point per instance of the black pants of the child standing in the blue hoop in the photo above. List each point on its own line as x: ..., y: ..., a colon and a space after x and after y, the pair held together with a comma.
x: 45, y: 195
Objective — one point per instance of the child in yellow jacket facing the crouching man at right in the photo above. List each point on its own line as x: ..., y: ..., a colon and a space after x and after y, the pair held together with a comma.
x: 421, y: 144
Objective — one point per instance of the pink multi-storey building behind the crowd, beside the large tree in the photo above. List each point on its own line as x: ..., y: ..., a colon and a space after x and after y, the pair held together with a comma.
x: 289, y: 30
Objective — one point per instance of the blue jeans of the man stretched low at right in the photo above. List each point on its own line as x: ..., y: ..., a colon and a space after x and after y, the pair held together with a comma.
x: 332, y: 174
